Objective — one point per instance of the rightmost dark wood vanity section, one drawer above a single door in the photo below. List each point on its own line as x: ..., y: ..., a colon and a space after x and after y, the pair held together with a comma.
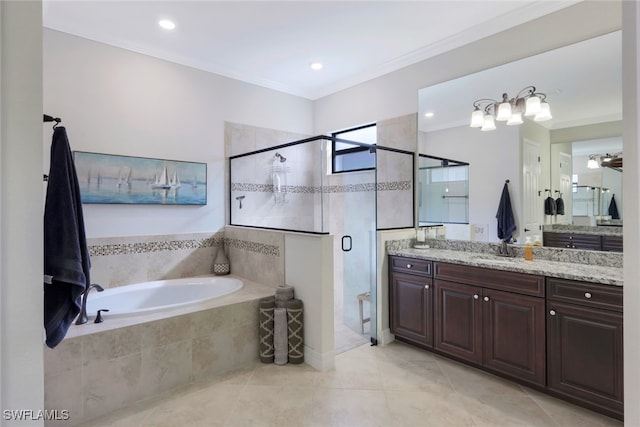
x: 584, y: 341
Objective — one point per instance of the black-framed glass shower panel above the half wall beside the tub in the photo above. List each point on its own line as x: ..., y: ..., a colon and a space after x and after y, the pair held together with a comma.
x: 282, y: 187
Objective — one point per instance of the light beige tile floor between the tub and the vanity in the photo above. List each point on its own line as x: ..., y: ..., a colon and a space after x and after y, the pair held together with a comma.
x: 395, y: 385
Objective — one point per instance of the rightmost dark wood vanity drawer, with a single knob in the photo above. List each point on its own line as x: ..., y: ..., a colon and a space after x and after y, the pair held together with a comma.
x: 584, y: 293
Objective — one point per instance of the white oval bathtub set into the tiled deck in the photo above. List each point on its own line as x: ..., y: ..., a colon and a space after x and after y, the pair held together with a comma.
x: 149, y: 297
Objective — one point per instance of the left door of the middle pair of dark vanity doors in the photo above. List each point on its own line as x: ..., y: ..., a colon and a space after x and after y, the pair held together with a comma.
x: 458, y: 320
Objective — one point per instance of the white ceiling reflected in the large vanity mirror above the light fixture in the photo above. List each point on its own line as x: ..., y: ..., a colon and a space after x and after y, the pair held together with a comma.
x: 582, y: 81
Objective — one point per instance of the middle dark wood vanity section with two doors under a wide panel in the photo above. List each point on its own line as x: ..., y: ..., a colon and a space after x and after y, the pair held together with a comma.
x: 491, y: 318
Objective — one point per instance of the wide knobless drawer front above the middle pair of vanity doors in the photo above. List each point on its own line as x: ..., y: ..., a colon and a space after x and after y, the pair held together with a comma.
x: 527, y: 284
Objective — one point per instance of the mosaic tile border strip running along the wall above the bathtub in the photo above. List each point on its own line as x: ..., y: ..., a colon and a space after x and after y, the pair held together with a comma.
x: 175, y: 245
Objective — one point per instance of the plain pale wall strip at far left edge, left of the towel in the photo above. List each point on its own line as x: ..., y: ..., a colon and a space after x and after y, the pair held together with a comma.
x: 21, y: 226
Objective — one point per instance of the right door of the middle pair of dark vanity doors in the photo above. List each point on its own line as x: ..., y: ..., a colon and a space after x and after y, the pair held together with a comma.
x: 514, y: 335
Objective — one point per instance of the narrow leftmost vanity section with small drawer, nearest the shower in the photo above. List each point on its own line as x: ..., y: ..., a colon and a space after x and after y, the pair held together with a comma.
x: 411, y: 300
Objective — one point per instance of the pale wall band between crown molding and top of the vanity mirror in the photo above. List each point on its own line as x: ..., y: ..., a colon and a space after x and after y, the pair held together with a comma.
x: 396, y: 94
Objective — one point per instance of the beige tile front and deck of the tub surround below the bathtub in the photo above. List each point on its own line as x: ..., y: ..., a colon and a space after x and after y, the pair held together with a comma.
x: 99, y: 368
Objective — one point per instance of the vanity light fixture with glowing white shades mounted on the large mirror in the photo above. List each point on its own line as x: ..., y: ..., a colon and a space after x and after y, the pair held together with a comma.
x: 527, y: 103
